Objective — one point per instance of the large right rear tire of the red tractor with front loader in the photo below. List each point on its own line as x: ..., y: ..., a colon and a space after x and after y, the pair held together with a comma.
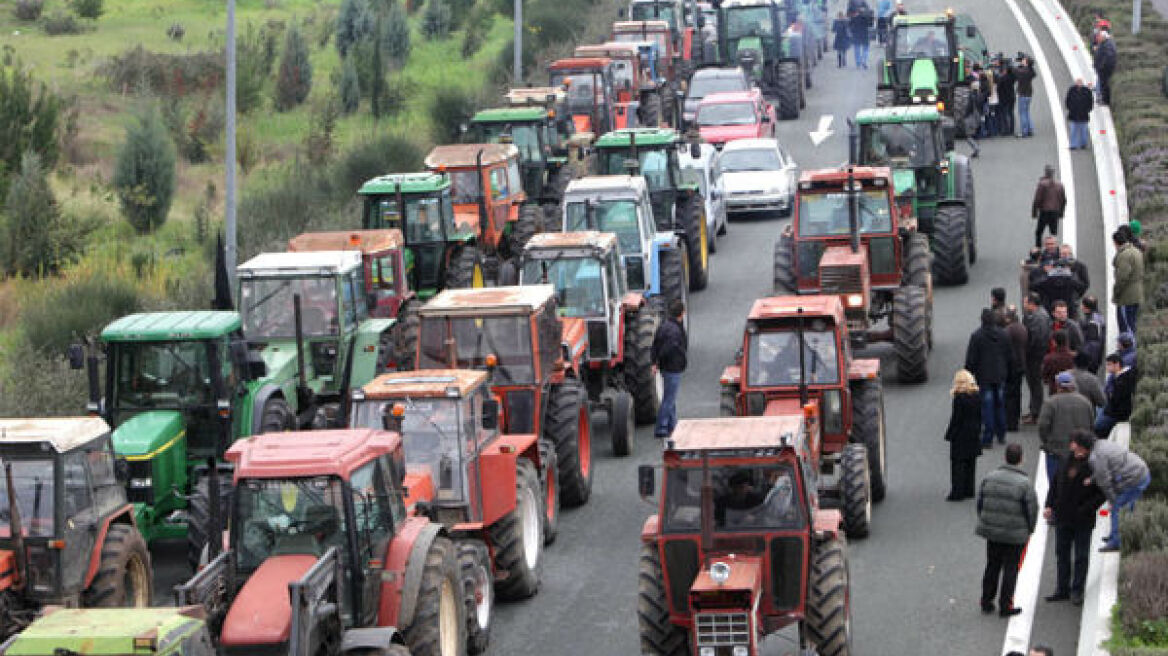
x: 440, y: 623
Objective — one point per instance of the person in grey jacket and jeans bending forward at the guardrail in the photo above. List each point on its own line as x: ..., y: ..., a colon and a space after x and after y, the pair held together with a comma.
x: 1121, y: 474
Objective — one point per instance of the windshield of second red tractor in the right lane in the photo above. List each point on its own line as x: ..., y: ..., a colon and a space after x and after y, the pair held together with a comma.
x: 775, y: 359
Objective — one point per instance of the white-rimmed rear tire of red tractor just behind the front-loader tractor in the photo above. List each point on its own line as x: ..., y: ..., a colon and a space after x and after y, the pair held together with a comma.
x: 519, y: 538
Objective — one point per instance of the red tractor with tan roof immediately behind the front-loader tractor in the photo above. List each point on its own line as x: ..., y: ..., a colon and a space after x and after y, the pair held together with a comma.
x: 495, y: 493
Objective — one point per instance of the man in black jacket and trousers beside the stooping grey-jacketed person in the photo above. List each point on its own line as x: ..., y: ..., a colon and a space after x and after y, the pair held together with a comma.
x: 1072, y: 504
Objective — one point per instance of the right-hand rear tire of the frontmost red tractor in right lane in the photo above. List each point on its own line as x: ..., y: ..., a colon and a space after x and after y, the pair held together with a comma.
x: 829, y: 620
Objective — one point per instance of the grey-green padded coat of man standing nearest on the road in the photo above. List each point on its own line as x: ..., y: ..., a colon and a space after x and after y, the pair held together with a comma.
x: 1007, y: 507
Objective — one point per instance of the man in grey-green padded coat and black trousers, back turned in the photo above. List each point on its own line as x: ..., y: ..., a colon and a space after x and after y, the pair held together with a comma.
x: 1007, y: 513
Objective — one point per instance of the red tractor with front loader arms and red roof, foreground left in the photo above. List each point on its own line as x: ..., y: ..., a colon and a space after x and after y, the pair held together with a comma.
x: 326, y: 521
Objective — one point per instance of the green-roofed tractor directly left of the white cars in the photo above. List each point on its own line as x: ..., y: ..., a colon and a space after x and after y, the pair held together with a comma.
x: 678, y: 203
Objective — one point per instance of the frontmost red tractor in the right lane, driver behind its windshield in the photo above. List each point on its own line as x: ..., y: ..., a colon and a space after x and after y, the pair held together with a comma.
x: 740, y: 548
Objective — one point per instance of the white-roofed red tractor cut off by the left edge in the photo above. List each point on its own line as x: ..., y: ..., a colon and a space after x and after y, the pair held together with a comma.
x: 68, y: 532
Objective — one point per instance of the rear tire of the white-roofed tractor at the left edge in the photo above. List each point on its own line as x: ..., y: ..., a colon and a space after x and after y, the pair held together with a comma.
x: 124, y: 576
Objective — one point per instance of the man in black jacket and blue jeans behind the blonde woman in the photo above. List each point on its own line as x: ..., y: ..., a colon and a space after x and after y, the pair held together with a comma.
x: 991, y: 361
